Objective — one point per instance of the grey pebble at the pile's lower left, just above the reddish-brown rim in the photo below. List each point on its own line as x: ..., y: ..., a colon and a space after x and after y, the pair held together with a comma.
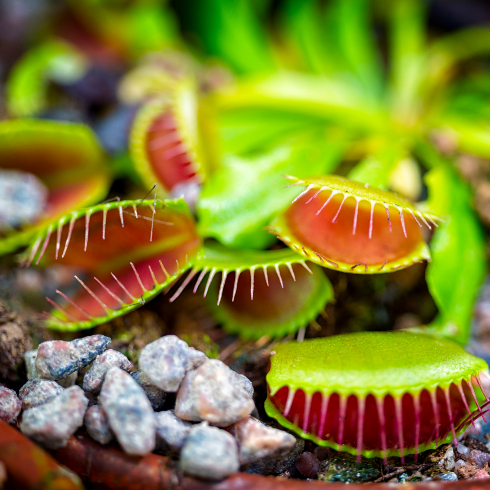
x: 52, y: 424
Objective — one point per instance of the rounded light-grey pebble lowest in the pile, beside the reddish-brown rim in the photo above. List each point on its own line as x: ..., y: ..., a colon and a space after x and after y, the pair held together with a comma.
x: 209, y: 453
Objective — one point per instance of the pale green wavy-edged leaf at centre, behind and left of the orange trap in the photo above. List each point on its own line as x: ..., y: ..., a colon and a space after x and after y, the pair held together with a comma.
x: 241, y: 199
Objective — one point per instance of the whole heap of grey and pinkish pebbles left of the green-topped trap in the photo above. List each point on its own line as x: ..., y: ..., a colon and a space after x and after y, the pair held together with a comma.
x: 210, y: 428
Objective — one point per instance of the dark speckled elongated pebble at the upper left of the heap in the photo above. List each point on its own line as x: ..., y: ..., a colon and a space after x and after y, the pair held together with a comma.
x: 56, y: 359
